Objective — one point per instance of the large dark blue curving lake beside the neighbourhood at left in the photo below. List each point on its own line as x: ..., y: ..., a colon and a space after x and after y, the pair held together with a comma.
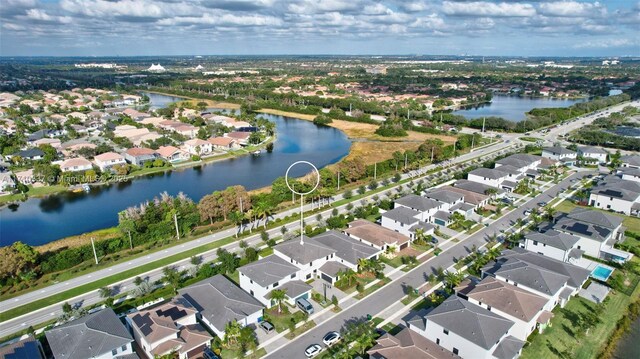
x: 38, y: 221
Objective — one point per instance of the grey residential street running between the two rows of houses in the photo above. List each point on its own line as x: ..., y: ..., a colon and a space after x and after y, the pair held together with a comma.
x: 394, y: 291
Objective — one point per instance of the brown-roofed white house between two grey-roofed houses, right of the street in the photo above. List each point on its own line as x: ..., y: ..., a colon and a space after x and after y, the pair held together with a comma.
x: 527, y: 310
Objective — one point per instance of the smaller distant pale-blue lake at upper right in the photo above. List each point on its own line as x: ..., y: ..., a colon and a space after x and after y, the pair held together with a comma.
x: 512, y: 108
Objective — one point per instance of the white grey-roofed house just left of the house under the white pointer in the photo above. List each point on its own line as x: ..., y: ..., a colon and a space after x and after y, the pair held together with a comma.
x: 259, y: 278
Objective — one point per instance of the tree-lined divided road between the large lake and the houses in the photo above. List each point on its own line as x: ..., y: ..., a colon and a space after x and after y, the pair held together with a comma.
x: 36, y: 317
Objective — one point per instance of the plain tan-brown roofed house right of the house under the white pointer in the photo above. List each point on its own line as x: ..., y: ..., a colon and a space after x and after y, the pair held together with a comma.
x: 376, y: 236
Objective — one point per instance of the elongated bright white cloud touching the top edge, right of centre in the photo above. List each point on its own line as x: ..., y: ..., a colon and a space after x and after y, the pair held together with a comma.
x: 484, y: 9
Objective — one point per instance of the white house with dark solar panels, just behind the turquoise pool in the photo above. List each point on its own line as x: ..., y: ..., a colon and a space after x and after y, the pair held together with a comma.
x: 598, y: 232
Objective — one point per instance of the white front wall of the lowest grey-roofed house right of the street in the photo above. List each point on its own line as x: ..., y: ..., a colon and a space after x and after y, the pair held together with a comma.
x: 466, y: 349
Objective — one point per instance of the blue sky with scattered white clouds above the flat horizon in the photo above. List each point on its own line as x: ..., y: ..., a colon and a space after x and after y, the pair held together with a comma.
x: 227, y: 27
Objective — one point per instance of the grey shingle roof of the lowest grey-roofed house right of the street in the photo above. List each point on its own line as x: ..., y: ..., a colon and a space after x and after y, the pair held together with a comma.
x: 470, y: 321
